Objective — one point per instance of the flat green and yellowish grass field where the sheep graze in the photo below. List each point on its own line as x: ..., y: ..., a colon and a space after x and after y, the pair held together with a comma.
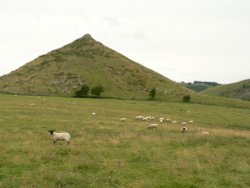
x: 107, y: 153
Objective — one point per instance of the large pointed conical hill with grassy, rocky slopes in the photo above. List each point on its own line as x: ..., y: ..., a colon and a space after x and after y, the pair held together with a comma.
x: 85, y: 61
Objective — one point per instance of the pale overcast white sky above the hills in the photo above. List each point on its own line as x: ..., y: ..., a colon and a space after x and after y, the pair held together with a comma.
x: 184, y: 40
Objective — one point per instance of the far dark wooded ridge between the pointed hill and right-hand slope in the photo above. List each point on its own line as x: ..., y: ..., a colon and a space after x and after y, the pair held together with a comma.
x: 199, y: 86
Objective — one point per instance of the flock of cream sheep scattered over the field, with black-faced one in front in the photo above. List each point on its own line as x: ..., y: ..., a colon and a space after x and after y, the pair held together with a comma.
x: 64, y: 136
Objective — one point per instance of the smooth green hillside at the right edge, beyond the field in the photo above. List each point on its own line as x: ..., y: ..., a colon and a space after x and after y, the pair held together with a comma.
x: 238, y: 90
